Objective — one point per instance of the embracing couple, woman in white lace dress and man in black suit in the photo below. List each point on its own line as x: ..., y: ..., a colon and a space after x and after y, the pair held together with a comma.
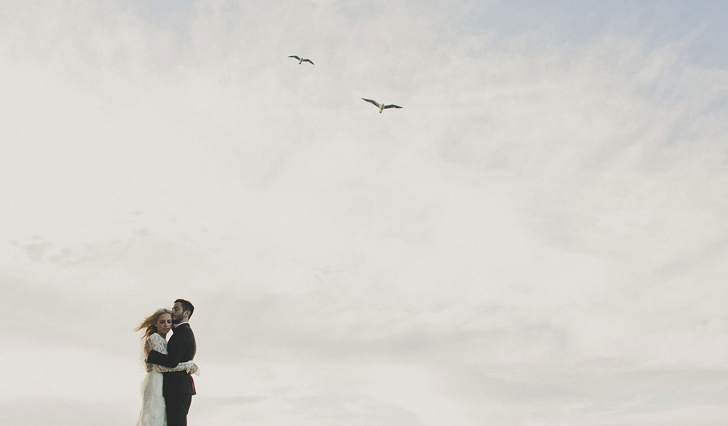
x: 168, y: 386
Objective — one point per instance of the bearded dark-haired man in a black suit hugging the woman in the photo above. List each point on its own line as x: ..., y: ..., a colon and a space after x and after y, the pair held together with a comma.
x: 178, y: 386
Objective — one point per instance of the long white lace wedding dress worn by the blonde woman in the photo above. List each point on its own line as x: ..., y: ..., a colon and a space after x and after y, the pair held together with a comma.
x: 153, y: 408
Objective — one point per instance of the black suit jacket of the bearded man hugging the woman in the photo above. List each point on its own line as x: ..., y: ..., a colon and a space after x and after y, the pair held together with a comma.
x: 181, y: 348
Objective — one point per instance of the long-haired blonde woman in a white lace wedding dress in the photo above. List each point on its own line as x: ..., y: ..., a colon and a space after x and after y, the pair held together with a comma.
x: 156, y: 327
